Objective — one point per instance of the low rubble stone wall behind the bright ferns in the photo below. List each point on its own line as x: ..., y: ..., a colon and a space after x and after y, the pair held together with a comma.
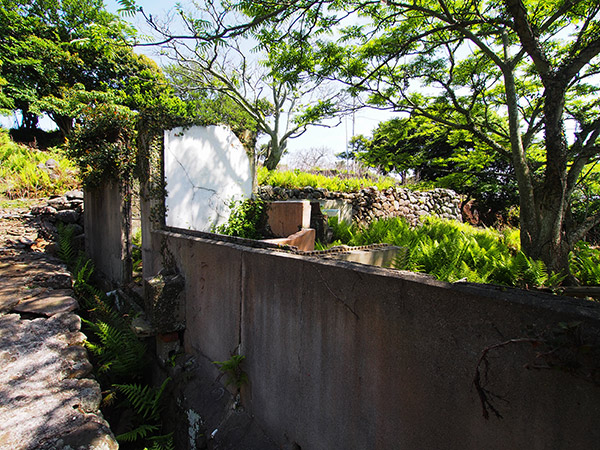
x: 370, y: 204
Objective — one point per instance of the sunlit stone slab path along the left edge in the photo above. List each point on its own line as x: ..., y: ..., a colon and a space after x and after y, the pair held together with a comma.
x: 47, y: 398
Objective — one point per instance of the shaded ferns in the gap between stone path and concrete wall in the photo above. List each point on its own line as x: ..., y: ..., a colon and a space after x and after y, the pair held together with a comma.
x: 129, y: 403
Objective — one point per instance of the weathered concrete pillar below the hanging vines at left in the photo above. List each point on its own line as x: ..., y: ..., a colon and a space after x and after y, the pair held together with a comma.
x: 107, y: 219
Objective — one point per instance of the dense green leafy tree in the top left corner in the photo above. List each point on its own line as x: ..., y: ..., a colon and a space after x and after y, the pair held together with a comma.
x: 60, y: 55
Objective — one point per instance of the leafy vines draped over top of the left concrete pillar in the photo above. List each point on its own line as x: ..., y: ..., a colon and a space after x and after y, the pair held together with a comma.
x: 104, y: 146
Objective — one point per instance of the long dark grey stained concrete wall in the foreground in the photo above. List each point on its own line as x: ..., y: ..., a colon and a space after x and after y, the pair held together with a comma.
x: 347, y: 356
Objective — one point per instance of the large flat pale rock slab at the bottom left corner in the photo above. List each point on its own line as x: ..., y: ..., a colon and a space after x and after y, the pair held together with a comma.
x: 48, y: 408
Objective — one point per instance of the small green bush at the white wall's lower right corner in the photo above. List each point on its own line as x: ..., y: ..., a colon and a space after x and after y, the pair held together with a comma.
x: 247, y: 219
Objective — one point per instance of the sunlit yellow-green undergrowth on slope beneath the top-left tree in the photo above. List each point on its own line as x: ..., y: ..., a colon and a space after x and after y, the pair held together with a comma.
x: 24, y: 174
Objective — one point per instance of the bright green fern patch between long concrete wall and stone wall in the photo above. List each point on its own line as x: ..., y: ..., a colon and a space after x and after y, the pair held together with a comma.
x: 453, y: 251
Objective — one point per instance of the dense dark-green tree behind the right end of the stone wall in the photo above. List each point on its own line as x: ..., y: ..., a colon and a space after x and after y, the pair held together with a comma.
x: 436, y: 155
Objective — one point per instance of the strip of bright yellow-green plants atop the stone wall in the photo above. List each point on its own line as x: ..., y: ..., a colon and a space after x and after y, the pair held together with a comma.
x: 297, y: 179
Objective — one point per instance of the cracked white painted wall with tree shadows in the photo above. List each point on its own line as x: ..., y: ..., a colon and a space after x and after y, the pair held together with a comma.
x: 205, y: 168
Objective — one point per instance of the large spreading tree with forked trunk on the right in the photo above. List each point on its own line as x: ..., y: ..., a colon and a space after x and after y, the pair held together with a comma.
x: 513, y: 73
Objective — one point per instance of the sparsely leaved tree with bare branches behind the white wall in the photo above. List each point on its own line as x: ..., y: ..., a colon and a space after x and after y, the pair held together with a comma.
x: 281, y: 104
